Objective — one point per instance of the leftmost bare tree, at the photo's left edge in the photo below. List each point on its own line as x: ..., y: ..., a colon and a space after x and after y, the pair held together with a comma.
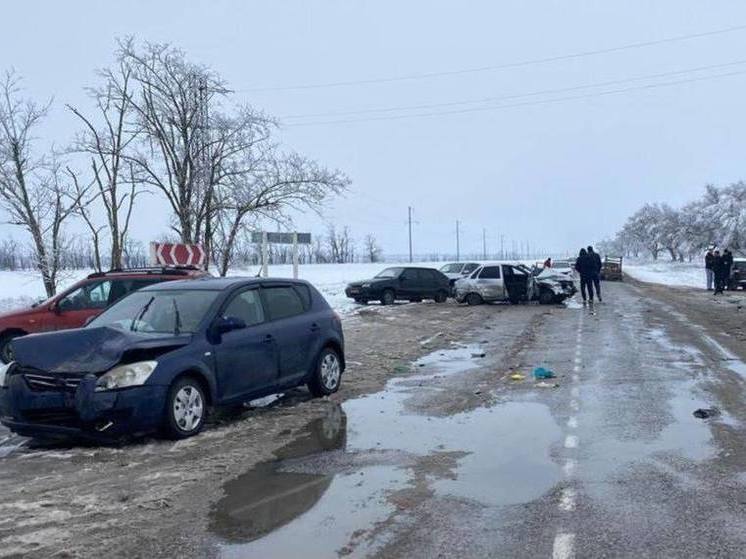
x: 31, y: 190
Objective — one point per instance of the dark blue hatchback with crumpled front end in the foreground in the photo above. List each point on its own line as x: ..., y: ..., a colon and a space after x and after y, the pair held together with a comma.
x: 158, y: 359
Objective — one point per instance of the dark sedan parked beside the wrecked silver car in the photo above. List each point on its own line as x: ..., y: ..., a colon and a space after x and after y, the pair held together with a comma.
x: 401, y: 283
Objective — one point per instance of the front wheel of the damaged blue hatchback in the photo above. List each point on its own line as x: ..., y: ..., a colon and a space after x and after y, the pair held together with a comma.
x: 186, y: 408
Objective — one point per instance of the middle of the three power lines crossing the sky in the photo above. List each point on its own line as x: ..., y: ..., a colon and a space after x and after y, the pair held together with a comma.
x: 519, y: 95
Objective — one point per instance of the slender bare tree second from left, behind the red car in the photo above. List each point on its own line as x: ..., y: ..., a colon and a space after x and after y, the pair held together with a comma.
x: 106, y: 139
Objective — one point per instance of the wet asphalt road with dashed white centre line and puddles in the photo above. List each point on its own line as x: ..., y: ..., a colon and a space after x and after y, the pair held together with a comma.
x: 457, y: 459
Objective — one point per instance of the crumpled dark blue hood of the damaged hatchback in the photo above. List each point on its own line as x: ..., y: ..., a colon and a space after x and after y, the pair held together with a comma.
x: 90, y: 350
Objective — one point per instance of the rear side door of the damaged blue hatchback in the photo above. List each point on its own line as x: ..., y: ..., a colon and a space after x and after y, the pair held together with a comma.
x: 293, y: 328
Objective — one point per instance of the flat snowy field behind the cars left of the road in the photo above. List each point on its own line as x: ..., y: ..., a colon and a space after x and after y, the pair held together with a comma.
x: 21, y: 288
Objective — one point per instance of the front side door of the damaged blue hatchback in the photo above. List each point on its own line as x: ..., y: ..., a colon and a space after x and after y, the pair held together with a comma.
x: 246, y: 359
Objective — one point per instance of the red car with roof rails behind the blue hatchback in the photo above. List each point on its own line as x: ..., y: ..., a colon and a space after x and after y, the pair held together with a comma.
x: 73, y: 307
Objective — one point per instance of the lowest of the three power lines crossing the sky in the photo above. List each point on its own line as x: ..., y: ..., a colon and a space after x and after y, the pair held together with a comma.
x: 523, y: 104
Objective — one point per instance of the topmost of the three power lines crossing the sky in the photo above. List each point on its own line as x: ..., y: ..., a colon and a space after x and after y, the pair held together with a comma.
x: 518, y: 64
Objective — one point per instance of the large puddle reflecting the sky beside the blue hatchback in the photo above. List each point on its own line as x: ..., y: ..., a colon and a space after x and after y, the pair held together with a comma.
x: 330, y: 501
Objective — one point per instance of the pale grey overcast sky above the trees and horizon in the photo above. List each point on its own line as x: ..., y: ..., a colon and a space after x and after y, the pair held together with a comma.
x: 556, y: 174
